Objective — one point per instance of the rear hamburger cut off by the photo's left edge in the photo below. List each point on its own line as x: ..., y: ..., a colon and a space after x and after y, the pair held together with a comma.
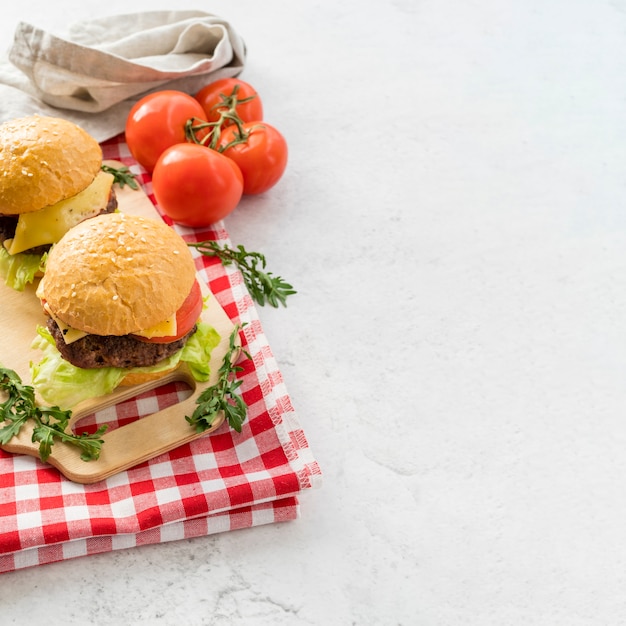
x: 51, y: 179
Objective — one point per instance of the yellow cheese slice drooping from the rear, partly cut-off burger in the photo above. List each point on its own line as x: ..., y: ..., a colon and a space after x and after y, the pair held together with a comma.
x: 48, y: 225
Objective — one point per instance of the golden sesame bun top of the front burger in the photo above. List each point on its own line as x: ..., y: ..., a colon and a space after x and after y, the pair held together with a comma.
x: 117, y: 274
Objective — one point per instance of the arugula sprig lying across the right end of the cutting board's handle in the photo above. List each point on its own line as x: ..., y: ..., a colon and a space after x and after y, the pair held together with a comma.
x: 223, y: 395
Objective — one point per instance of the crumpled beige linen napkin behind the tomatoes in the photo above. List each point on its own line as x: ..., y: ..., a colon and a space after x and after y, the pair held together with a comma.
x: 95, y: 73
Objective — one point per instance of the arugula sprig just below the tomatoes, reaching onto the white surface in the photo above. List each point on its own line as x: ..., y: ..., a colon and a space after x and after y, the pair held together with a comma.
x: 263, y: 286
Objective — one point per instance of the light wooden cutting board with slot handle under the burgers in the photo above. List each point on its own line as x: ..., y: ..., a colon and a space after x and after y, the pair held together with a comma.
x: 127, y: 445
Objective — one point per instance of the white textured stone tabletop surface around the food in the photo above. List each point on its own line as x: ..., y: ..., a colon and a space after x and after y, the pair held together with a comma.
x: 454, y: 219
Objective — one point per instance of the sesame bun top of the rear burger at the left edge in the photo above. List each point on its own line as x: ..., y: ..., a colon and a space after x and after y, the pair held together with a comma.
x: 44, y: 160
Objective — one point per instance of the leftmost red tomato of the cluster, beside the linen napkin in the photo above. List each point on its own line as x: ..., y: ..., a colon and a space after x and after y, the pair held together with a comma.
x: 157, y: 121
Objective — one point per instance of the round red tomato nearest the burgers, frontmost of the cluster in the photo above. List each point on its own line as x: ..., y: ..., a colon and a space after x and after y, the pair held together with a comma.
x: 195, y: 185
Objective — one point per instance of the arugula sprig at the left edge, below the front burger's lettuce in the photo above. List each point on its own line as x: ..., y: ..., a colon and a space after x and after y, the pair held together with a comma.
x: 50, y: 422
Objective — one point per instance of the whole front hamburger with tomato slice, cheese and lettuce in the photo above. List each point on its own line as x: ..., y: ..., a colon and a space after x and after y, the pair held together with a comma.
x: 123, y: 307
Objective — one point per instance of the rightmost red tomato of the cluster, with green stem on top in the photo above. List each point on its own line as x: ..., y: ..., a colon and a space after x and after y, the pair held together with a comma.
x: 262, y: 159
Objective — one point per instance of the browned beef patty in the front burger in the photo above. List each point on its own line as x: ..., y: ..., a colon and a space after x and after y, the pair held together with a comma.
x: 94, y: 351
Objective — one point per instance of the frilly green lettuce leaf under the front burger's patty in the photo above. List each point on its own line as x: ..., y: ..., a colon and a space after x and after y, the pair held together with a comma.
x: 62, y: 384
